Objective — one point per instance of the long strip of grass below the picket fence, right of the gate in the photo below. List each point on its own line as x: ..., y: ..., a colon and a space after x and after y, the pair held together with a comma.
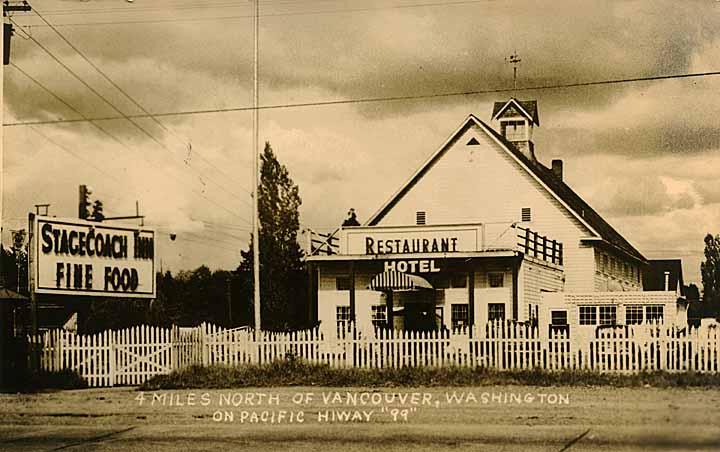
x: 298, y: 373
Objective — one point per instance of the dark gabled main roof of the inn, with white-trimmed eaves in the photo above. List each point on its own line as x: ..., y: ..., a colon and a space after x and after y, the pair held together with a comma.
x: 562, y: 192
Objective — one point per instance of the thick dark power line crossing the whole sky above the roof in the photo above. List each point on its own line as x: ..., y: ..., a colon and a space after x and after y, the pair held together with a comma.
x: 383, y: 99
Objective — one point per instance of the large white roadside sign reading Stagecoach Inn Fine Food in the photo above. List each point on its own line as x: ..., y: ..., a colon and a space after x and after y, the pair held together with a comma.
x: 76, y: 257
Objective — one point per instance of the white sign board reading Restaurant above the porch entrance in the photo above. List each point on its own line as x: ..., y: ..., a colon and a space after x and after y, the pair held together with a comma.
x: 416, y: 240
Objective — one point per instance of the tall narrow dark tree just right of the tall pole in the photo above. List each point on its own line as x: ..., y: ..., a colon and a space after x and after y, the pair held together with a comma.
x: 281, y: 269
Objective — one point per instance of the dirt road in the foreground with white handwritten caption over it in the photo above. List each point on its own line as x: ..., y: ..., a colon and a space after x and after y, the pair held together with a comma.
x: 513, y: 418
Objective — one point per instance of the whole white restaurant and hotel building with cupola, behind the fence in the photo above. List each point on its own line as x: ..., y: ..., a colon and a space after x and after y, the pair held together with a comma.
x: 484, y: 231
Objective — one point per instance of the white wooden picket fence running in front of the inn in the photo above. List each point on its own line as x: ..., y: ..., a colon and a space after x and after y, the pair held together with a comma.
x: 131, y: 356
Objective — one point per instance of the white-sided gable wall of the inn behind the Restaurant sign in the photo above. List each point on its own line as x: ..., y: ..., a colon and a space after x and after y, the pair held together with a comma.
x: 483, y: 183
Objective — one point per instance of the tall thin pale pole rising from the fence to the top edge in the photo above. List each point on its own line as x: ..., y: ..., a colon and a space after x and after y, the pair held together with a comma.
x: 256, y: 171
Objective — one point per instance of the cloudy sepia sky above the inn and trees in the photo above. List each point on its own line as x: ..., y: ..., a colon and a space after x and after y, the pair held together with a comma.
x: 646, y: 155
